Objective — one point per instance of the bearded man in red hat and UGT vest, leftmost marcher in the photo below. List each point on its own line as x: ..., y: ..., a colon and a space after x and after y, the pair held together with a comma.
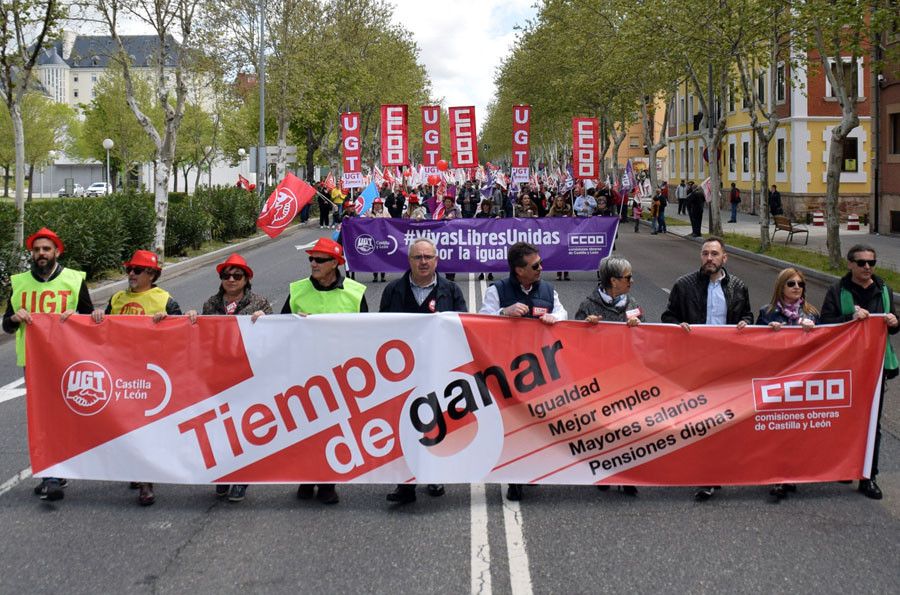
x: 48, y: 288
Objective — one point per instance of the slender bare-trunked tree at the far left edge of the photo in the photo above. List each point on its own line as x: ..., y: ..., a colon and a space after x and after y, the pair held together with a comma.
x: 26, y: 29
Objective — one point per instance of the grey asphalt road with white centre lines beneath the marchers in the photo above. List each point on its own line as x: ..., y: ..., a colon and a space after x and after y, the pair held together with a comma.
x: 827, y: 538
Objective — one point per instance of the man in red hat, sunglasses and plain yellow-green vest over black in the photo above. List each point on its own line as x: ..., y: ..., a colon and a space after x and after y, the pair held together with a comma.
x: 325, y: 291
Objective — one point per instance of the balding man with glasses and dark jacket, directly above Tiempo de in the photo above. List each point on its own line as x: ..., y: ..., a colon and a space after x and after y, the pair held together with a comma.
x: 421, y: 290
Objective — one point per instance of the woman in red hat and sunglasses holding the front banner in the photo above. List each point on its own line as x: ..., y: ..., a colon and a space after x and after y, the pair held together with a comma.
x: 234, y: 297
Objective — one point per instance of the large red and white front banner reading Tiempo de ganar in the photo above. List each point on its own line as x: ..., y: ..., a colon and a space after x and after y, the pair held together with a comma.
x: 367, y: 398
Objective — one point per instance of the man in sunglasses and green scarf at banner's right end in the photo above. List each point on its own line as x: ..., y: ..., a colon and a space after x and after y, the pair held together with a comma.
x: 855, y: 296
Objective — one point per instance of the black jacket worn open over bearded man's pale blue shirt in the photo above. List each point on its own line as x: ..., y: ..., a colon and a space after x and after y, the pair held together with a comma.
x: 687, y: 302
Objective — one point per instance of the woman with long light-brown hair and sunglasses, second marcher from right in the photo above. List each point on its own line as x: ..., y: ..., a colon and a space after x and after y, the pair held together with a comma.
x: 788, y: 307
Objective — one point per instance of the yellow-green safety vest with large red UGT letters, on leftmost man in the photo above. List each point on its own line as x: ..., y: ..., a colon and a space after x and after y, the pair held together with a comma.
x: 45, y: 297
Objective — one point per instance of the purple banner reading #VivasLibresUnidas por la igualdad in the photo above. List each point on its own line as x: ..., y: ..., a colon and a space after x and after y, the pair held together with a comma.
x: 478, y: 245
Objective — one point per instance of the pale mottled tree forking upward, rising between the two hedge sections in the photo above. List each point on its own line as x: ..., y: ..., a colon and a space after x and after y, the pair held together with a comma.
x: 170, y: 61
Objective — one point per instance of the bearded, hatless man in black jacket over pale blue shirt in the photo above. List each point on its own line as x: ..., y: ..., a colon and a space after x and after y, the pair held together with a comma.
x: 709, y: 296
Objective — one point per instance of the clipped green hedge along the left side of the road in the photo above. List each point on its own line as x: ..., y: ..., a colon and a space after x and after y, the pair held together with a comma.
x: 102, y: 232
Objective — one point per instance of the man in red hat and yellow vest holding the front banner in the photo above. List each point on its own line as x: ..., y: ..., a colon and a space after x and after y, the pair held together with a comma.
x: 142, y: 298
